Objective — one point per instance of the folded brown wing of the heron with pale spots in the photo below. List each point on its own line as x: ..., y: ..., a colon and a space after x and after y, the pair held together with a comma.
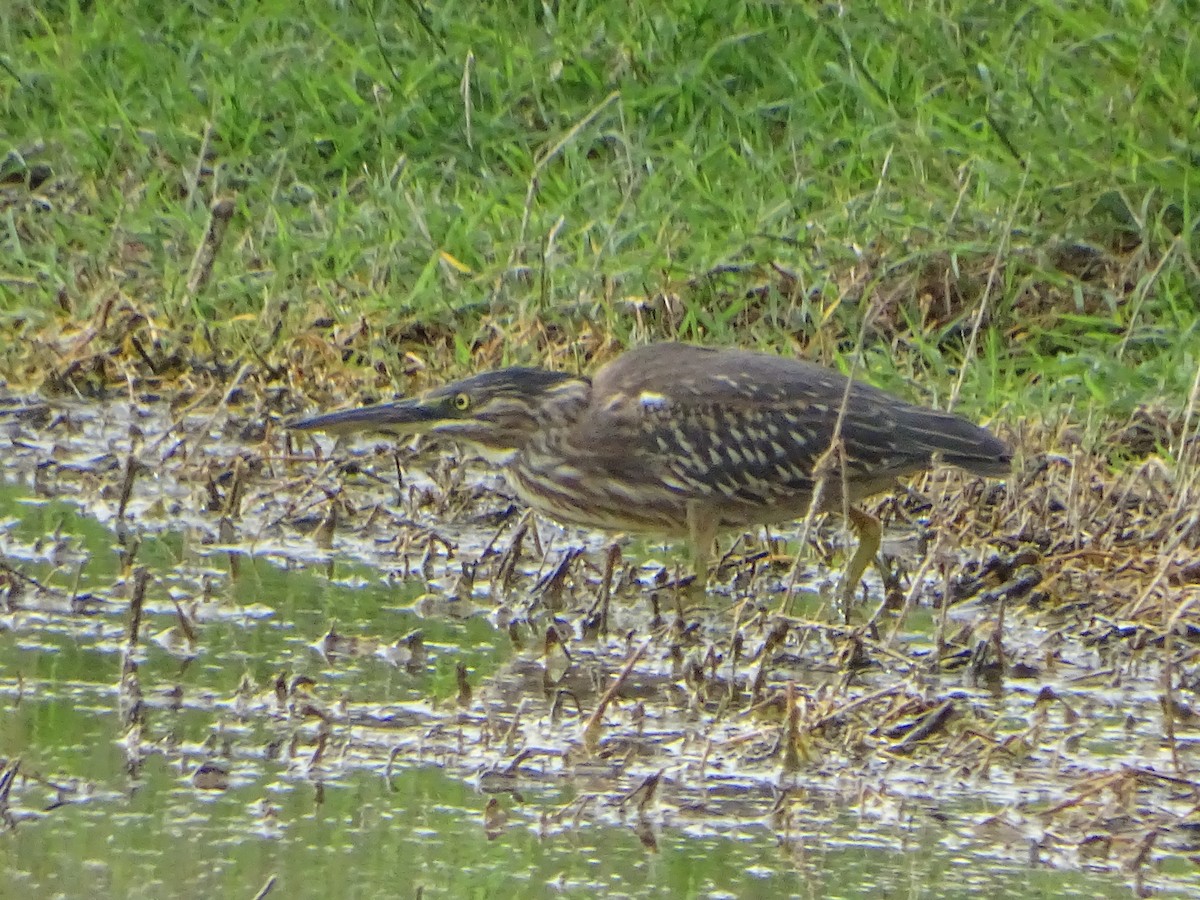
x: 752, y: 427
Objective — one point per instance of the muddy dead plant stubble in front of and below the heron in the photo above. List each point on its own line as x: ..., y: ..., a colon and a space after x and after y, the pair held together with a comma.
x: 1049, y: 710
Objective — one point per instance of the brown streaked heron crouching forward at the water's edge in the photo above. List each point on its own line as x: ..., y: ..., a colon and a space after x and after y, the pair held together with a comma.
x: 674, y: 440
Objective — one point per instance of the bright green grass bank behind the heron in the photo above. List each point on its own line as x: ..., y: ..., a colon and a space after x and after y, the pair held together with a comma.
x: 495, y: 181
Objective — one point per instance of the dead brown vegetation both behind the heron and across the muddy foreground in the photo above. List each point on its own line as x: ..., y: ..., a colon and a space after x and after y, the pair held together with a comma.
x: 1047, y: 709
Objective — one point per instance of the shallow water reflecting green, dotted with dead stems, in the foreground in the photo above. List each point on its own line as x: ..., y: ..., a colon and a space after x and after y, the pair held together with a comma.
x: 314, y: 727
